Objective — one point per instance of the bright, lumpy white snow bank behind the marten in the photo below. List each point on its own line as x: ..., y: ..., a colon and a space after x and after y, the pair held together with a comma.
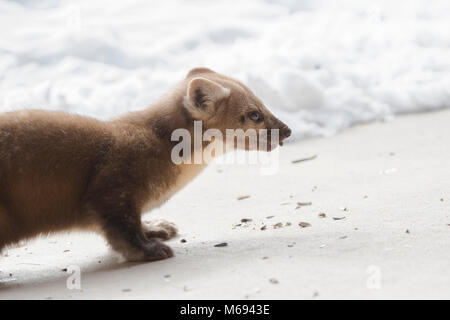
x: 322, y: 66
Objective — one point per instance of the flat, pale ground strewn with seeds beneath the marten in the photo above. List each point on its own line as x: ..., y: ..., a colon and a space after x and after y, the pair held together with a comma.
x: 391, y: 198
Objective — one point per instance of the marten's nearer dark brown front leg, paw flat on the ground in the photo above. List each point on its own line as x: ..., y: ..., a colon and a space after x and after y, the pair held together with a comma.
x: 124, y: 231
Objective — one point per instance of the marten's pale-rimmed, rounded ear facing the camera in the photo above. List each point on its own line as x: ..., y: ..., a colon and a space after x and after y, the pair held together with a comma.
x: 204, y: 97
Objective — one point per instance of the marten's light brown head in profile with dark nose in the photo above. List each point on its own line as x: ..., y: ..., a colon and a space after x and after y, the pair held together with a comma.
x: 223, y: 103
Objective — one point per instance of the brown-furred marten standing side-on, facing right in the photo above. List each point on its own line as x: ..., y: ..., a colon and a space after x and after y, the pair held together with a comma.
x: 60, y: 171
